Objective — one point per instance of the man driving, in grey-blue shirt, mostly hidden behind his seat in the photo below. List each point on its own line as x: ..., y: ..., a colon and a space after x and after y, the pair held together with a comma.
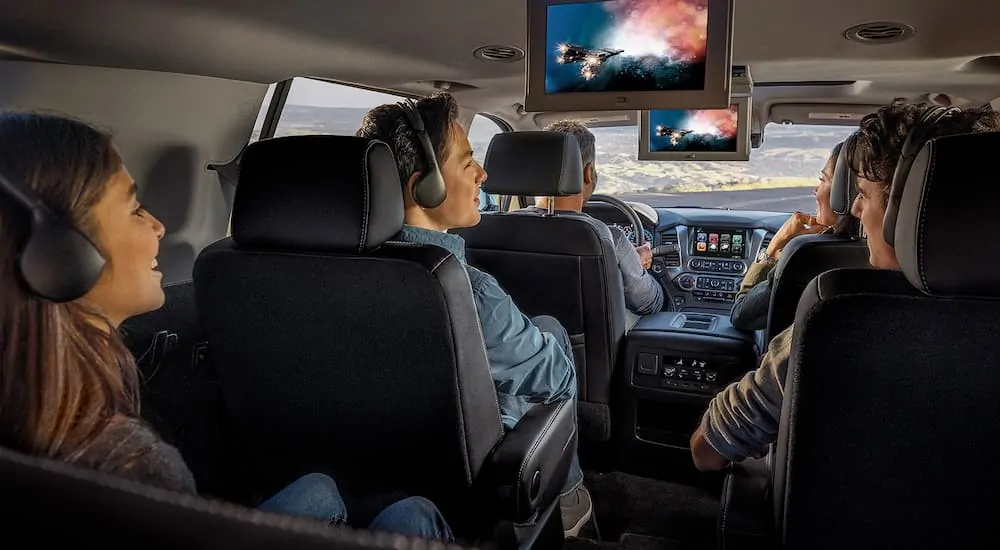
x: 643, y: 294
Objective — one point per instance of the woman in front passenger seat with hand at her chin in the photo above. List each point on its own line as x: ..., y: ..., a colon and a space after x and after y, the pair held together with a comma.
x: 754, y: 297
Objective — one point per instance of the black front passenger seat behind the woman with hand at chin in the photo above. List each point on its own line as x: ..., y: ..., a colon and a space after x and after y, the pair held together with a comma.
x: 807, y: 256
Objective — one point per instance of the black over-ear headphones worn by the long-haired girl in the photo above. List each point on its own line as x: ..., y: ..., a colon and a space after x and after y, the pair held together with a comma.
x: 57, y: 261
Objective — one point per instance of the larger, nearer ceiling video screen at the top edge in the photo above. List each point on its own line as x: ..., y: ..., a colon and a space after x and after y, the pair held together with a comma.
x: 586, y: 55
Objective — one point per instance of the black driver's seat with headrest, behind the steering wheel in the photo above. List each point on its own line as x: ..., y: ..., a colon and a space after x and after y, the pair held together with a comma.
x: 555, y: 265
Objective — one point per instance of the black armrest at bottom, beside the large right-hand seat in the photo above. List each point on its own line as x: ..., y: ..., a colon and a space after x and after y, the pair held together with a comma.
x: 745, y: 521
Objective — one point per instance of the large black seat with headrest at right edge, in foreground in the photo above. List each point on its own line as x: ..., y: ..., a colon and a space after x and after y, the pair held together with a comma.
x: 891, y: 403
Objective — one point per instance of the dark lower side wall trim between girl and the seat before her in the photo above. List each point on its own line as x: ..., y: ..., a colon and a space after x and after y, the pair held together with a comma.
x: 180, y: 392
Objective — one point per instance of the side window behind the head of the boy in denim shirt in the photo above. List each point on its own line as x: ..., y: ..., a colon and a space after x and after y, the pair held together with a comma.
x: 318, y: 107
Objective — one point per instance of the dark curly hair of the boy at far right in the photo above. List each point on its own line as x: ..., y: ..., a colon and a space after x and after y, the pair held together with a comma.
x: 878, y: 144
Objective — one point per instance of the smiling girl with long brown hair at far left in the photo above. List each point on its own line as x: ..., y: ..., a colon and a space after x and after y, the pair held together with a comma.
x: 69, y: 388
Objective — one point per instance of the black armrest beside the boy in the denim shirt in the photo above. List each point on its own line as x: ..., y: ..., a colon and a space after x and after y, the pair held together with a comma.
x: 527, y: 469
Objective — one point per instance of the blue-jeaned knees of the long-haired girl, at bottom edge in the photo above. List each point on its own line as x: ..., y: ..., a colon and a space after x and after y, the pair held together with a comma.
x: 316, y: 496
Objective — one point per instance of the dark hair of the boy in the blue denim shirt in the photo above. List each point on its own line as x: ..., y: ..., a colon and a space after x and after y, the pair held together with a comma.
x: 388, y: 123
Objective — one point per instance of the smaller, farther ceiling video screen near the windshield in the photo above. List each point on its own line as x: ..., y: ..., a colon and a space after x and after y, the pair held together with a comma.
x: 696, y: 134
